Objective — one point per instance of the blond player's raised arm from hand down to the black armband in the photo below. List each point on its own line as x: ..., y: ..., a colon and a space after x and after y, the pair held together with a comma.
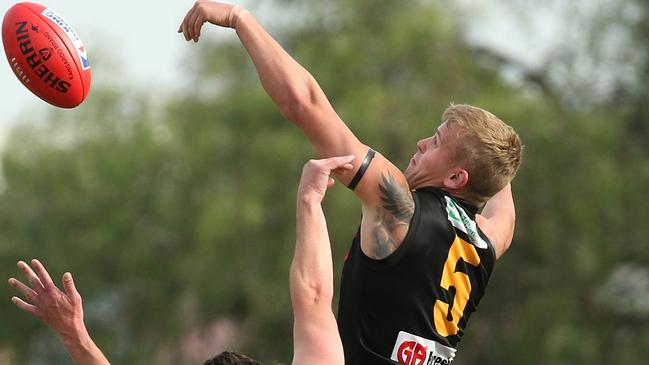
x: 293, y: 89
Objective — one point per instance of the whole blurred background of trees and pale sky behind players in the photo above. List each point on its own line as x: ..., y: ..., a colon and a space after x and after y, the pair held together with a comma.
x: 169, y: 193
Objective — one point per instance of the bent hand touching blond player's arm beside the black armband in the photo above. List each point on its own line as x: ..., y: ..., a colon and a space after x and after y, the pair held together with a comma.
x: 316, y: 176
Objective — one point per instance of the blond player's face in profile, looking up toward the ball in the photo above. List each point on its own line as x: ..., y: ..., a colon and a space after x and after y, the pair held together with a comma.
x: 432, y: 163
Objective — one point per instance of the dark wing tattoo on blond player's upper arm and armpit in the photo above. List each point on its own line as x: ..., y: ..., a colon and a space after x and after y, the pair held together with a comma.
x: 397, y: 207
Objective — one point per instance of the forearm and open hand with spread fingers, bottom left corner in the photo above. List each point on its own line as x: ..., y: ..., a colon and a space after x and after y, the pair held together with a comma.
x: 62, y: 311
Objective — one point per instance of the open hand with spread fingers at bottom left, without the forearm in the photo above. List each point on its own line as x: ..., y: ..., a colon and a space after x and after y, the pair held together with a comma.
x: 60, y: 310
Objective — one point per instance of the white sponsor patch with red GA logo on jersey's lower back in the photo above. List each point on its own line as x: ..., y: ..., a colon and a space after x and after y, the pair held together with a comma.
x: 410, y: 349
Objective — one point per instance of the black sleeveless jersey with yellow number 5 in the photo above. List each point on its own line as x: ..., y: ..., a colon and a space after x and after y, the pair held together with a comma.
x: 413, y: 306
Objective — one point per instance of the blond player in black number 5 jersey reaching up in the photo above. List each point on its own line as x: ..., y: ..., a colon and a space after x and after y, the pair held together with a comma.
x: 423, y: 255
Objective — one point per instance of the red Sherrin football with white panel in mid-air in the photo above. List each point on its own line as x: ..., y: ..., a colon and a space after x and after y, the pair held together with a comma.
x: 46, y: 54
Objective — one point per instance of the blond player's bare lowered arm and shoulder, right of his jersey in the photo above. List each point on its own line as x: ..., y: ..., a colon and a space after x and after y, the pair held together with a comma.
x: 498, y: 219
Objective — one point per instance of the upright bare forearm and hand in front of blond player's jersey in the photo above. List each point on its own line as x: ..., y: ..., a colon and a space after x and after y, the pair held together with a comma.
x: 315, y: 332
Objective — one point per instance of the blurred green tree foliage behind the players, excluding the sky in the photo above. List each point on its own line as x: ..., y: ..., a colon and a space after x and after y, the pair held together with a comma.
x: 176, y: 214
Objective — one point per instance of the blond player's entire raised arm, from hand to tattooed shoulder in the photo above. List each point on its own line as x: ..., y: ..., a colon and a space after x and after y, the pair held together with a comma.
x: 383, y: 189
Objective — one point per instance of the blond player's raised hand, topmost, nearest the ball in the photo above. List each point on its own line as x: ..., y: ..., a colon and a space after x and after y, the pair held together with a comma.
x: 225, y: 15
